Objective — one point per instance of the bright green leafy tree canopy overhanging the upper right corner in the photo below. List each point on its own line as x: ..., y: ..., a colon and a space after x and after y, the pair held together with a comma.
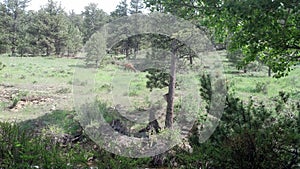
x: 263, y: 30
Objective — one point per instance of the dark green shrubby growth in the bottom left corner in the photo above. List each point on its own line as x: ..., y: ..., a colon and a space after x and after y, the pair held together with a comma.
x: 20, y: 149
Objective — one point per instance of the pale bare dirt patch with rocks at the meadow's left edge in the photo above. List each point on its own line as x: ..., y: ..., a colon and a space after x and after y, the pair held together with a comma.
x: 21, y: 99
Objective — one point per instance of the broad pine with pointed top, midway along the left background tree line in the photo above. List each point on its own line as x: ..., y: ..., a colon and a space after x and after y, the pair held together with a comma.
x: 49, y: 29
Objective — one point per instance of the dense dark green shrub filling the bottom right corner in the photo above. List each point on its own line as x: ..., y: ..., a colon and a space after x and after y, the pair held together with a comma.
x: 251, y: 135
